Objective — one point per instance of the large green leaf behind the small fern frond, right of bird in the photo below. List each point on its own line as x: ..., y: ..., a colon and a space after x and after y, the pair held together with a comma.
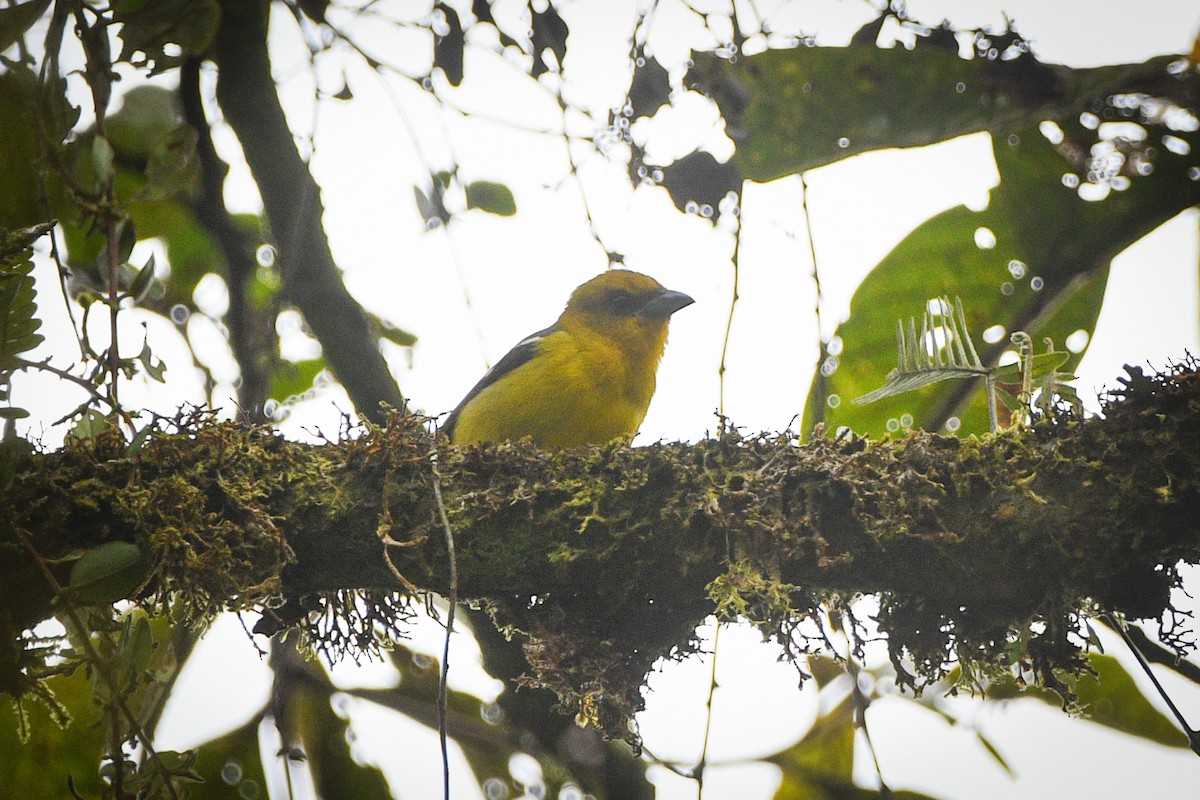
x: 1035, y: 228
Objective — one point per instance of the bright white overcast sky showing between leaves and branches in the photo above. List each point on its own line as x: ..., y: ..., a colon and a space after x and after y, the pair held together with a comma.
x: 518, y: 273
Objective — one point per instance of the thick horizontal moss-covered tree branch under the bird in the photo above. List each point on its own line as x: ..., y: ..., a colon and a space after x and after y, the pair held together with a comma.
x: 608, y: 558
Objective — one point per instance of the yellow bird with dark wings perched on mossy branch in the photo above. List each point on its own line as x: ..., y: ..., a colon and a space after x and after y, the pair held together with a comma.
x: 586, y: 380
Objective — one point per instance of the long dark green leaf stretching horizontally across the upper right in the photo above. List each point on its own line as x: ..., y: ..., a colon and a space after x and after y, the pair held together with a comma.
x: 797, y: 109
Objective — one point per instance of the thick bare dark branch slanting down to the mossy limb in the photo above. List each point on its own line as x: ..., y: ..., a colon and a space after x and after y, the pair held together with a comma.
x: 248, y: 95
